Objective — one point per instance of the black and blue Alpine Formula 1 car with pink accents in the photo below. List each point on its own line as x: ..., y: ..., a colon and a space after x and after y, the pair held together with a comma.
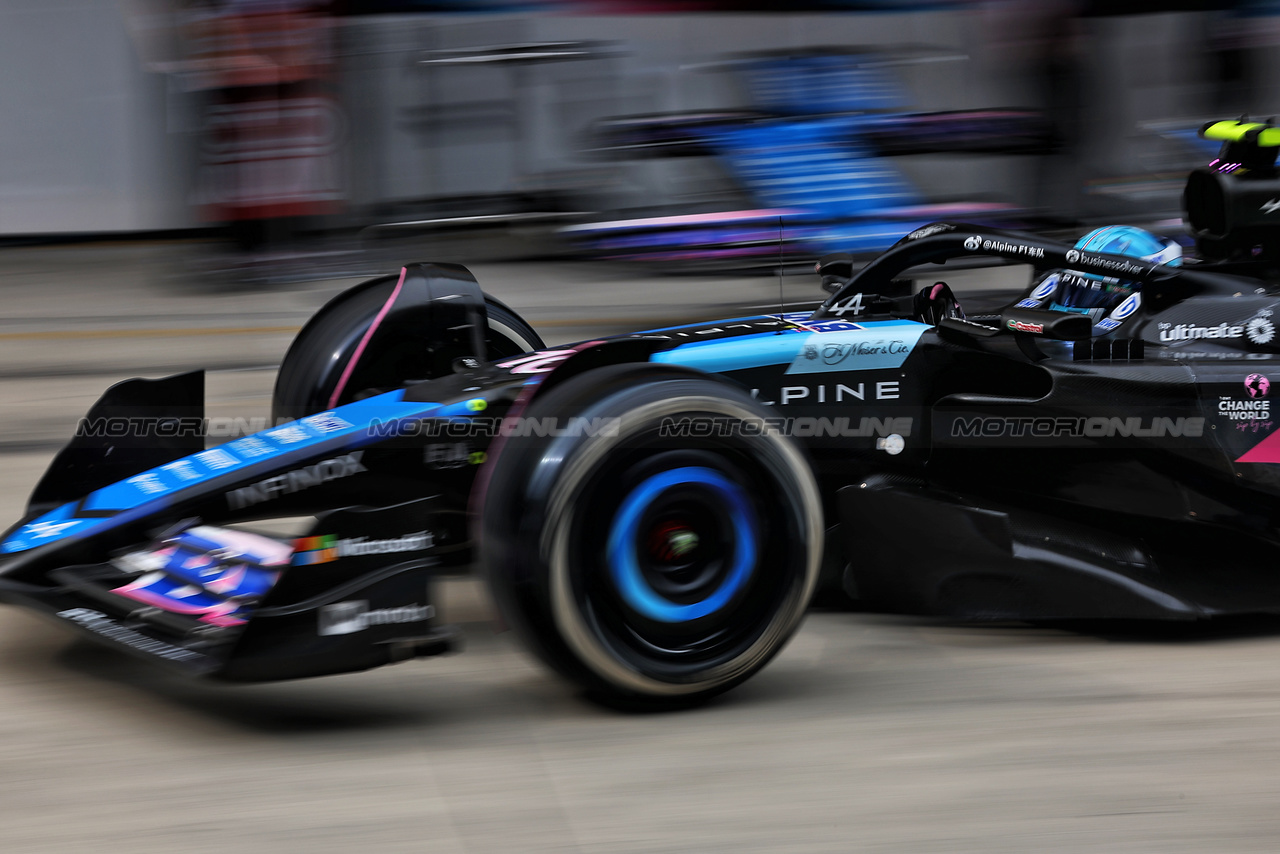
x: 655, y: 512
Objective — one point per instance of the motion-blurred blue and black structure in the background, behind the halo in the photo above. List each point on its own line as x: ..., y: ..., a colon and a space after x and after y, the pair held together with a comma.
x: 812, y: 159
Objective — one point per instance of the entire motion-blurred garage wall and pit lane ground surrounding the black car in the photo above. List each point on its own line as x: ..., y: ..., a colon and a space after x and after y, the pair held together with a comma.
x: 184, y: 184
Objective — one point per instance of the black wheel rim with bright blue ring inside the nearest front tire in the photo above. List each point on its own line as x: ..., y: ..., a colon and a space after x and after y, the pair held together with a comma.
x: 683, y: 615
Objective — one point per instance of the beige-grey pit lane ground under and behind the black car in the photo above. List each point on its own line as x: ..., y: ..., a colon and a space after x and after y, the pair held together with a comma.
x: 867, y: 734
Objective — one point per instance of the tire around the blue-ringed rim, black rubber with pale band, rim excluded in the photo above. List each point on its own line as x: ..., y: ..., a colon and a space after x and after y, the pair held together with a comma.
x: 538, y: 577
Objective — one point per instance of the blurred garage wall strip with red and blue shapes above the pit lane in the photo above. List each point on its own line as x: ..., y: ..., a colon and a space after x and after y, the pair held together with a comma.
x: 304, y: 139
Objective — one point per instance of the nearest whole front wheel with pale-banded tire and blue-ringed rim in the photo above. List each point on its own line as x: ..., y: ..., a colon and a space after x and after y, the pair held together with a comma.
x: 655, y: 570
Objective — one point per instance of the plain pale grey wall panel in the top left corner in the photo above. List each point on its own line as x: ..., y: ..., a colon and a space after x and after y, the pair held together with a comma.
x: 84, y: 138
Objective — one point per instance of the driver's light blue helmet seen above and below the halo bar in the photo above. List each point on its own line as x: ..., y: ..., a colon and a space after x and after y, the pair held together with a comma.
x: 1096, y: 295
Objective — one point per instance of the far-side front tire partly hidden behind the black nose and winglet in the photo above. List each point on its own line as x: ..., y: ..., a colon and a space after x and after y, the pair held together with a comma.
x: 314, y: 364
